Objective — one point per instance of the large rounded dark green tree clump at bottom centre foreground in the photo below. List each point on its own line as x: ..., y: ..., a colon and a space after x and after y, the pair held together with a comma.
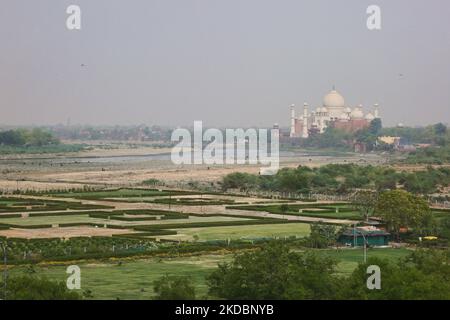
x: 274, y: 272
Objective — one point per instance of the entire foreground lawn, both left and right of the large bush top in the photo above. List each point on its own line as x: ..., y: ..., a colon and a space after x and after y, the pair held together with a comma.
x: 133, y: 279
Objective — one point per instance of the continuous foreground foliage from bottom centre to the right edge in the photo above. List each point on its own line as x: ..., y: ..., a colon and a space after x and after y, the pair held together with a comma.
x: 275, y: 272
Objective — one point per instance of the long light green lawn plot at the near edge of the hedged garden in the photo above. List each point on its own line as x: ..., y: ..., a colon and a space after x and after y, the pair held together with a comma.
x: 237, y: 232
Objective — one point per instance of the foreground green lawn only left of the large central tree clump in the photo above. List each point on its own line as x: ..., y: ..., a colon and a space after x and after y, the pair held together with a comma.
x: 133, y: 279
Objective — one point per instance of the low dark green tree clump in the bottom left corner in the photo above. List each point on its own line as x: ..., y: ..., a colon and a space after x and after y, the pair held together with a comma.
x: 35, y: 288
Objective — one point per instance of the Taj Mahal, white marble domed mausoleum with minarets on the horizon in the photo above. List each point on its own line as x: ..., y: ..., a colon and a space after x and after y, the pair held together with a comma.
x: 332, y: 113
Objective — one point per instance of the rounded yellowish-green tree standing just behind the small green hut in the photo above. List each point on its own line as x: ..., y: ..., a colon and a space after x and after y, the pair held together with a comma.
x: 399, y: 208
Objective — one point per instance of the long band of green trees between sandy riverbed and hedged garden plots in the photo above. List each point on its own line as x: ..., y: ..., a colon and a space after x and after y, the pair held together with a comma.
x: 340, y: 178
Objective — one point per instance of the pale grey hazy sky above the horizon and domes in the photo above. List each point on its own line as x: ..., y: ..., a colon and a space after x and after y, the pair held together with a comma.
x: 226, y: 62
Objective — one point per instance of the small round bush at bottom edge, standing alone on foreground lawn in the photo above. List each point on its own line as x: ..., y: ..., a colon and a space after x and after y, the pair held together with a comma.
x: 174, y: 288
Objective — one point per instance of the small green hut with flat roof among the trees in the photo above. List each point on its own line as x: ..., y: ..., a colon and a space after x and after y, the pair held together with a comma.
x: 357, y: 236
